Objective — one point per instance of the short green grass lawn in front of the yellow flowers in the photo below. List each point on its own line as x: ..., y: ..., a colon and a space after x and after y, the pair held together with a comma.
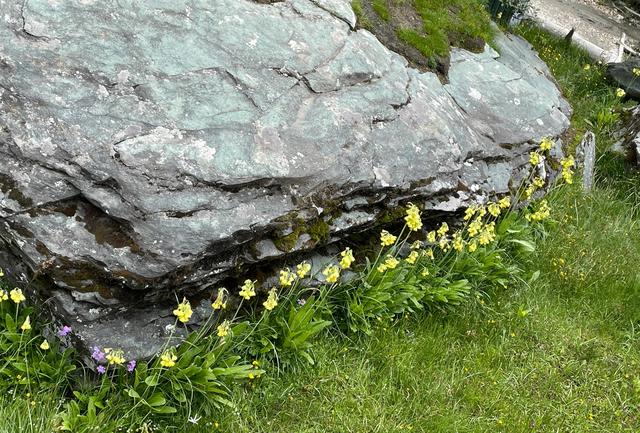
x: 556, y: 352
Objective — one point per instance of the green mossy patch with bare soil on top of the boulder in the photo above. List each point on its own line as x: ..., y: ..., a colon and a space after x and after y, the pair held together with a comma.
x: 423, y: 31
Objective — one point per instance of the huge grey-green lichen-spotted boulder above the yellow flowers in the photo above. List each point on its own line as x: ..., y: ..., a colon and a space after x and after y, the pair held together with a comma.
x: 151, y: 149
